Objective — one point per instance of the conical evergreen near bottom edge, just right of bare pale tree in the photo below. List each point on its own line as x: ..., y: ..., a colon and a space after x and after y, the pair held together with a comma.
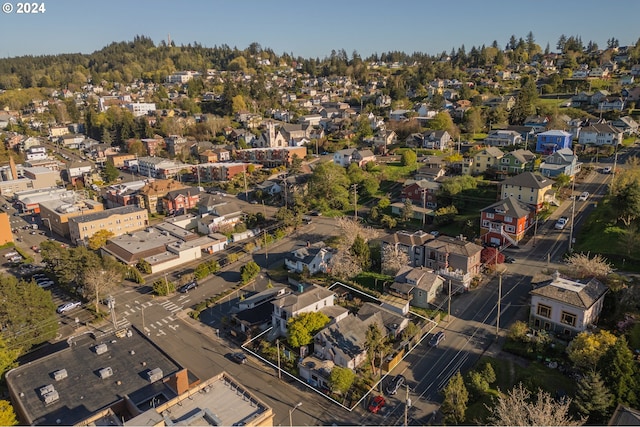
x: 593, y: 399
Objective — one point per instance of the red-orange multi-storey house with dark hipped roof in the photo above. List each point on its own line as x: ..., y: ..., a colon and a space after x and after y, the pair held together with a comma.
x: 506, y: 221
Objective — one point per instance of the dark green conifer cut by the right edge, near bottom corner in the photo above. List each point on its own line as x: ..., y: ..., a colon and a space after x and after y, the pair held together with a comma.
x: 620, y: 372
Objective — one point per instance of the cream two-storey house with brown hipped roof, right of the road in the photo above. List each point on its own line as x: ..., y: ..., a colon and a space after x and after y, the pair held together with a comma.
x: 566, y: 307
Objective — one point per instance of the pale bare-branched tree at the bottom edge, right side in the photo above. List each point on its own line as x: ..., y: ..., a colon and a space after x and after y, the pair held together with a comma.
x: 518, y: 408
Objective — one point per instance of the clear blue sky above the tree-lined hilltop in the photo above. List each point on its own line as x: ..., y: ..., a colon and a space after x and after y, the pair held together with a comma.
x: 312, y: 29
